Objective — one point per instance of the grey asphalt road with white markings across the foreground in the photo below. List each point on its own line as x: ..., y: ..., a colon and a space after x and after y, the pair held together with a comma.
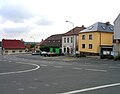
x: 27, y: 74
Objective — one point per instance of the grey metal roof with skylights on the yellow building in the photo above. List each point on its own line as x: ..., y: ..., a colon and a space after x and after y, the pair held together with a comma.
x: 99, y: 26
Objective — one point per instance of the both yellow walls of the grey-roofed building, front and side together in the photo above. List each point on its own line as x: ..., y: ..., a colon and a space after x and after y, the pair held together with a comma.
x: 106, y: 39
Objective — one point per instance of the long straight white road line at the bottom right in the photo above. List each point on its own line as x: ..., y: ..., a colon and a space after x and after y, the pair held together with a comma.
x: 90, y: 89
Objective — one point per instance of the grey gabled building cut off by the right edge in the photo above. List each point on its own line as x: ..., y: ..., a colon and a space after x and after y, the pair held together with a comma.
x: 117, y: 35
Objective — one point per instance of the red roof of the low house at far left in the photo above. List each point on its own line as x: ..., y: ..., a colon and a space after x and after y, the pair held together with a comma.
x: 12, y: 44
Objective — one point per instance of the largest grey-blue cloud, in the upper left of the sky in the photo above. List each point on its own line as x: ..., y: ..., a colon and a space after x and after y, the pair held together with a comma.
x: 16, y: 13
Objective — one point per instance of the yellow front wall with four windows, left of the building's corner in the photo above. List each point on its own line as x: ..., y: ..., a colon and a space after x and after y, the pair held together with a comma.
x: 95, y: 42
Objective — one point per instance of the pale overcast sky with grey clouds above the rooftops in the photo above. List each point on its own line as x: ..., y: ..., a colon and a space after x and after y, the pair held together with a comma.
x: 21, y: 19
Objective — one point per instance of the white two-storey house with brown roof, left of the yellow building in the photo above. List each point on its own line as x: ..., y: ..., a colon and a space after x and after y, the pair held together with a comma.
x: 70, y: 40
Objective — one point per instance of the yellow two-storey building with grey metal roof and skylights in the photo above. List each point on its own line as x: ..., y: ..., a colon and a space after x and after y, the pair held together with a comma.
x: 96, y: 38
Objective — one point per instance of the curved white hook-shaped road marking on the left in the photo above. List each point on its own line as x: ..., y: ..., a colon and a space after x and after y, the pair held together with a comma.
x: 24, y: 71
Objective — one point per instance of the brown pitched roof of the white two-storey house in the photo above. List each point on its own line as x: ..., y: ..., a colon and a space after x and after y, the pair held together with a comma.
x: 74, y: 31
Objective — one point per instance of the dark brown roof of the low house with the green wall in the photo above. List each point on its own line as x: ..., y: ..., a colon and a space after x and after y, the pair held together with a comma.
x: 53, y: 41
